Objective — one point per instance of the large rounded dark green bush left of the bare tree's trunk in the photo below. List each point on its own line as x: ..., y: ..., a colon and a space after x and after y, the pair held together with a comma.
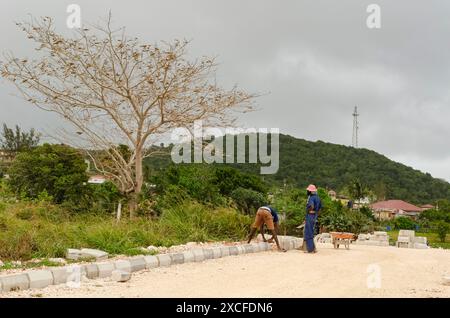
x: 57, y: 169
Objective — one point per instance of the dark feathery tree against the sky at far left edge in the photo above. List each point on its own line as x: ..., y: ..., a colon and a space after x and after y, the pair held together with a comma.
x: 13, y: 141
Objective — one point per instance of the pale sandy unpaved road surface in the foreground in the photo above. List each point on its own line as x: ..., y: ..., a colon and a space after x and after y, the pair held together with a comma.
x: 329, y: 273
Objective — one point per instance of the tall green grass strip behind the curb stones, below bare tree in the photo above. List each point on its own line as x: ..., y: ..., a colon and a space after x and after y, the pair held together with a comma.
x: 46, y: 230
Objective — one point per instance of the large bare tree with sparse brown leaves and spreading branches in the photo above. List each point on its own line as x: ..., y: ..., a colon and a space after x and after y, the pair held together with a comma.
x: 115, y: 90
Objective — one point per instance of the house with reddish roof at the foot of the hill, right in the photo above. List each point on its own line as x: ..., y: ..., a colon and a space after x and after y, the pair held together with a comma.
x: 387, y: 210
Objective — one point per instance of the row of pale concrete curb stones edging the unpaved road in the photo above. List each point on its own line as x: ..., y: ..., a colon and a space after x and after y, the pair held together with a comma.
x: 37, y: 279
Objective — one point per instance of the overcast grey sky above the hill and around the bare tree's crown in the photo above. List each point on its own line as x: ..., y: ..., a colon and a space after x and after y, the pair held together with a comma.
x: 316, y: 59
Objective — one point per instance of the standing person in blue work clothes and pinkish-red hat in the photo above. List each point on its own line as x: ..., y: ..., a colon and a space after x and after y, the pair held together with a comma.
x: 313, y: 207
